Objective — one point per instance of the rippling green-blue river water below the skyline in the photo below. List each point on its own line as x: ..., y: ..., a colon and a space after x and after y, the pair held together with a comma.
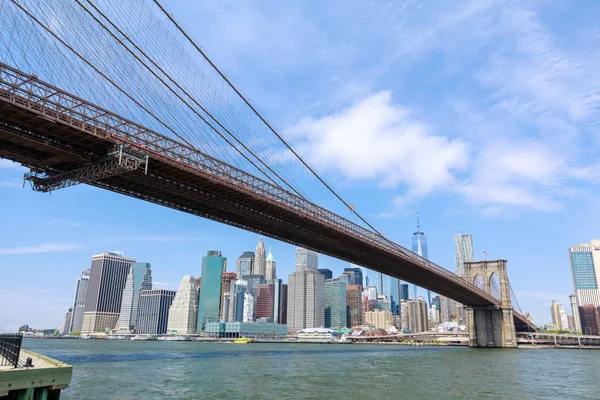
x: 112, y: 369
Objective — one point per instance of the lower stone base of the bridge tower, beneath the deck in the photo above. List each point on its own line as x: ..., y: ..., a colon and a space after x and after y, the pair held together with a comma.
x: 491, y: 327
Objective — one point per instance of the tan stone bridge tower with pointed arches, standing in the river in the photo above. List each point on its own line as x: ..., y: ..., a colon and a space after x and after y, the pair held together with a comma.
x: 490, y: 326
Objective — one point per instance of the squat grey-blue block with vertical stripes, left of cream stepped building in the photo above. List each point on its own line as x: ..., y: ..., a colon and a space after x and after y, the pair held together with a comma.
x: 153, y: 311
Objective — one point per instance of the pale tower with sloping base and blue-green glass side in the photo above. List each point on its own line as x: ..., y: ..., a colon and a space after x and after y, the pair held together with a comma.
x: 138, y: 278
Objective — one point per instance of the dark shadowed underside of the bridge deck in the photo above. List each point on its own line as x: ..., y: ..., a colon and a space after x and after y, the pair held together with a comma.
x: 42, y: 144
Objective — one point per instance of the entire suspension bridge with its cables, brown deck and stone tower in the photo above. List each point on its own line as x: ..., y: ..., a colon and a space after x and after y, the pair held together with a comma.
x: 120, y: 97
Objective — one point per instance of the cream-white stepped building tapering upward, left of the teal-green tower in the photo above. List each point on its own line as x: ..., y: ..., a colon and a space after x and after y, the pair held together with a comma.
x: 183, y: 314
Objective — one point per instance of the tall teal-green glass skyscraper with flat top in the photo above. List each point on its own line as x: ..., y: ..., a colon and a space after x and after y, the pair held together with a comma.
x: 209, y: 300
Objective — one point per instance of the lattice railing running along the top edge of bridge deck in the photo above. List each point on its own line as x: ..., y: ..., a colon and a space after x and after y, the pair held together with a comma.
x: 28, y: 91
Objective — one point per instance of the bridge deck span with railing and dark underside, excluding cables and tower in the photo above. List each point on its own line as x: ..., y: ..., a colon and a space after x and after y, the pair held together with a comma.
x: 66, y: 140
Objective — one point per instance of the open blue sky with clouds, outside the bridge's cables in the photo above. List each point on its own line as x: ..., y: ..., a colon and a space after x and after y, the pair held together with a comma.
x: 483, y: 114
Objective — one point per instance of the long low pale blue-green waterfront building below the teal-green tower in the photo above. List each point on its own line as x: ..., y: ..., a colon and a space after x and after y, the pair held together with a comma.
x: 250, y: 330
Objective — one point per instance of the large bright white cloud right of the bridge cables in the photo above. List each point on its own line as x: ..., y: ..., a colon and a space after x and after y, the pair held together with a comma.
x: 376, y: 140
